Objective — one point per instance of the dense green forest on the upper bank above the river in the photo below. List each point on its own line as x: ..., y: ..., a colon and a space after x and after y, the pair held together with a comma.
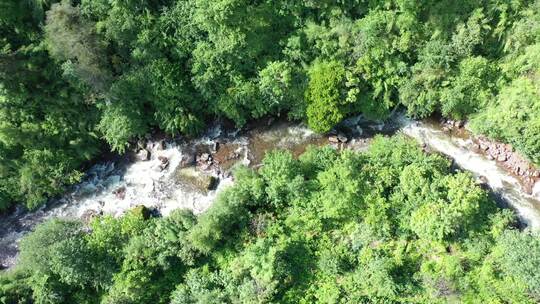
x: 78, y: 75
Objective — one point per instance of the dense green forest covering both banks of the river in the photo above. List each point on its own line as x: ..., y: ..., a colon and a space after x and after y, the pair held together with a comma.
x: 82, y: 78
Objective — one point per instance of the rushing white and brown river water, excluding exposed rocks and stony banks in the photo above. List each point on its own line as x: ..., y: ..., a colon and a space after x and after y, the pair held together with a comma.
x: 115, y: 187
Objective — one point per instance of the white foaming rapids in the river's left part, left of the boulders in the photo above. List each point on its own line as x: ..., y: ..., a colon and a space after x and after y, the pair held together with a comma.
x: 141, y: 183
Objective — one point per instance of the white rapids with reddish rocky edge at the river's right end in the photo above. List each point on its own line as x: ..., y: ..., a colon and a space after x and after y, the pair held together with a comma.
x: 463, y: 148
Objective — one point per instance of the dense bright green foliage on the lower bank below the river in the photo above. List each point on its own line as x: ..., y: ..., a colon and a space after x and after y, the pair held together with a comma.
x: 392, y: 225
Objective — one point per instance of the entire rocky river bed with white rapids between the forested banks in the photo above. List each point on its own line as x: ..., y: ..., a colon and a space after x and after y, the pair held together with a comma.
x: 166, y: 174
